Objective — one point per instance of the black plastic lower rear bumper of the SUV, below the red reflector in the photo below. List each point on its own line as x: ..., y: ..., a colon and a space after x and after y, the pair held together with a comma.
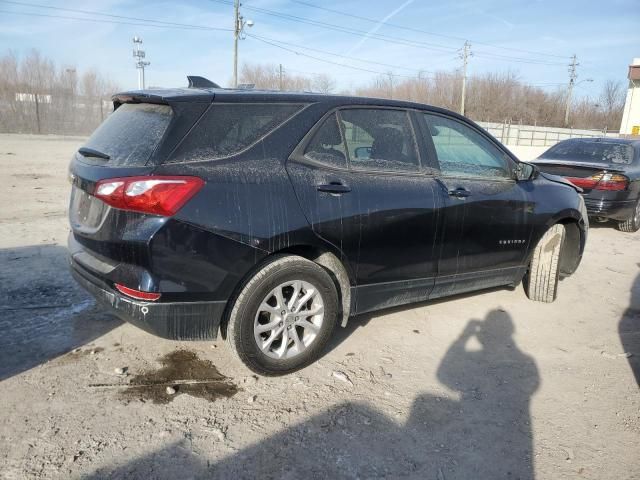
x: 170, y: 320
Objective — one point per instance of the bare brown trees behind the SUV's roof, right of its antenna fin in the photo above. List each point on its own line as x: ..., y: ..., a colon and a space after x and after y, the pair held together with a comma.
x: 492, y: 97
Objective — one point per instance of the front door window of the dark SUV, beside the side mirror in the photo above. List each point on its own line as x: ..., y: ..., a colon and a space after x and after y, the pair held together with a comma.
x: 463, y: 152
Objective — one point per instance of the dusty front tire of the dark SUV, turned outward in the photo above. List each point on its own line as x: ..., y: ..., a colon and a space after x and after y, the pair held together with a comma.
x: 541, y: 282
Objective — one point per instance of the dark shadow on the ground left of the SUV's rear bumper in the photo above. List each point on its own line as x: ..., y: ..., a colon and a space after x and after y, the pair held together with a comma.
x: 43, y: 313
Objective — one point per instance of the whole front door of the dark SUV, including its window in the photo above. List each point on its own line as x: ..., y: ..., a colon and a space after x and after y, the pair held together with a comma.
x: 486, y: 214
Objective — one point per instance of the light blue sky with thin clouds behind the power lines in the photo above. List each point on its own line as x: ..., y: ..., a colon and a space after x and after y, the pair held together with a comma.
x: 533, y: 39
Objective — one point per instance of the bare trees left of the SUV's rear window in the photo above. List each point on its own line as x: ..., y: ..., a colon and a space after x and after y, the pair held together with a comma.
x: 36, y: 96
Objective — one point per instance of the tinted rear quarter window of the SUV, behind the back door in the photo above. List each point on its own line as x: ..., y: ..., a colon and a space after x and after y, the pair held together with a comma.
x: 227, y: 129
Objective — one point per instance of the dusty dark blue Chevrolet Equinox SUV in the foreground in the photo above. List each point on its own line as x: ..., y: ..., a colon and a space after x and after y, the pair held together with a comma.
x: 274, y: 216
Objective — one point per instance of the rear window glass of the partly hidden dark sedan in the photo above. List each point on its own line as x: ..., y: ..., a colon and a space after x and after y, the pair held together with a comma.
x: 602, y: 152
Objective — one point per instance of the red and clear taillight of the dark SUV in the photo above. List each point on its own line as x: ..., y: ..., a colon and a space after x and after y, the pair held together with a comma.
x: 156, y: 195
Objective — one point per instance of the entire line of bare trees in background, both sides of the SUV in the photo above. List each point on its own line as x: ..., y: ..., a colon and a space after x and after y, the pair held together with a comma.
x: 37, y: 96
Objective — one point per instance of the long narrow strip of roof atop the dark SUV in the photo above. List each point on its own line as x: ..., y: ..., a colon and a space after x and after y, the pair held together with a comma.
x: 190, y: 94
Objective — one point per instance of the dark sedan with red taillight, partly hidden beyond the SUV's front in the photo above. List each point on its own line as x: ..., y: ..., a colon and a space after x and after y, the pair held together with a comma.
x: 607, y: 169
